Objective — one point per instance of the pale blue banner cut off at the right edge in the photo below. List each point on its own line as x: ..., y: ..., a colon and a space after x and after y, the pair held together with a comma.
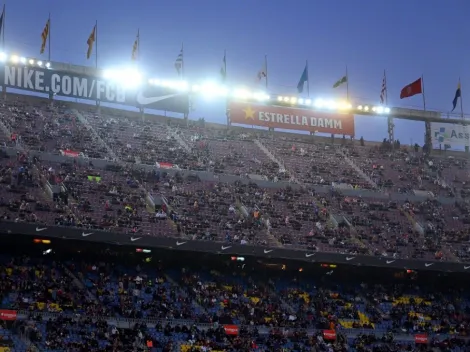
x: 450, y: 134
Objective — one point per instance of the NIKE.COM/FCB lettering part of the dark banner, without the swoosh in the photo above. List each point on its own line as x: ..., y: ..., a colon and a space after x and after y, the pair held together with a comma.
x: 61, y: 84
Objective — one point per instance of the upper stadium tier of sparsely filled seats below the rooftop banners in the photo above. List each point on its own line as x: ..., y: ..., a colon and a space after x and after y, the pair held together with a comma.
x: 100, y: 171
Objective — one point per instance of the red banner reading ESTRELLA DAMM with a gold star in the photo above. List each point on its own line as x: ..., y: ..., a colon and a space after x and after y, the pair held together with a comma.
x: 291, y: 118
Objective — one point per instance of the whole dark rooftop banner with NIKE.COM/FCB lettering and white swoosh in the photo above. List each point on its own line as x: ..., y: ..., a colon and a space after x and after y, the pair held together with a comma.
x: 80, y: 86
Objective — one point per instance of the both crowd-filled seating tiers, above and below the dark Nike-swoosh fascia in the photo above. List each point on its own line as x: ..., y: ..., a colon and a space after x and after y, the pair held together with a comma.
x: 70, y: 165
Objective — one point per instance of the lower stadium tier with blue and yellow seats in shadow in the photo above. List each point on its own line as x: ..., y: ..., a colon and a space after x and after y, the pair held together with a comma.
x: 68, y: 296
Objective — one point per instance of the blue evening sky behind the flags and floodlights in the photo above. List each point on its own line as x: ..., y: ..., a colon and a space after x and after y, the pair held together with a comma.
x: 407, y: 38
